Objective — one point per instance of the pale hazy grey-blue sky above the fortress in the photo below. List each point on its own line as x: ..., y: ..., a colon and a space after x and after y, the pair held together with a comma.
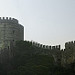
x: 49, y: 22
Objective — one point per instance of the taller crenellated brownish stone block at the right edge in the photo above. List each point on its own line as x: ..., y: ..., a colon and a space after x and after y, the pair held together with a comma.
x: 68, y: 55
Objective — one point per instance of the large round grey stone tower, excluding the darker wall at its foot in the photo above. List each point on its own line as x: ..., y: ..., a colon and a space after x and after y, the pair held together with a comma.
x: 10, y: 32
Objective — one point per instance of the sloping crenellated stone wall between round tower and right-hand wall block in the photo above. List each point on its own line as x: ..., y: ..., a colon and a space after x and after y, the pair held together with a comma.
x: 55, y: 51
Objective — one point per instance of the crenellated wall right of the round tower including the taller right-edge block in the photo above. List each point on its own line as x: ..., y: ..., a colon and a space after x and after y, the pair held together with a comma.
x: 62, y: 56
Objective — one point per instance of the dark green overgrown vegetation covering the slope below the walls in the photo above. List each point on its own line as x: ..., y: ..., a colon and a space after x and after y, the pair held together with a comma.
x: 26, y: 61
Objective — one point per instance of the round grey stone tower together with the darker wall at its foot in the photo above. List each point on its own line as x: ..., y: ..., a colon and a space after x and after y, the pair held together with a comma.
x: 10, y: 32
